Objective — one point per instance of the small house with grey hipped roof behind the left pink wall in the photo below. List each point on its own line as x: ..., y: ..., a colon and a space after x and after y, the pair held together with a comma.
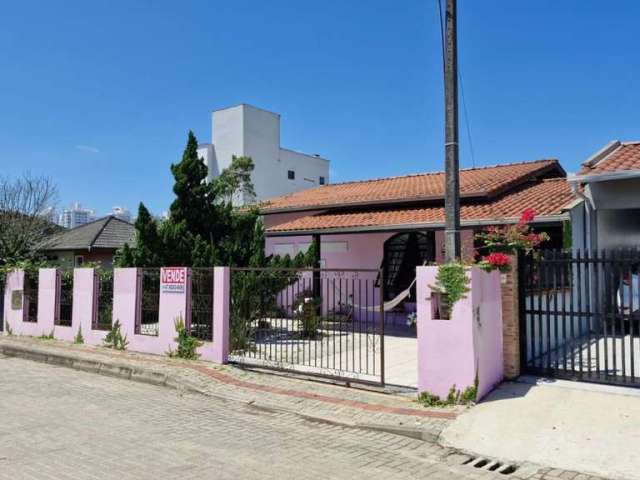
x: 96, y: 241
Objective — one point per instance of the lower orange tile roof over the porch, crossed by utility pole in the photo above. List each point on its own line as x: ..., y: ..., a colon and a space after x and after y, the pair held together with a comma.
x: 547, y: 198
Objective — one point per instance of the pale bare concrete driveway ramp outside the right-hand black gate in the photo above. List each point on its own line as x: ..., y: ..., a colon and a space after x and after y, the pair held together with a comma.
x: 589, y: 428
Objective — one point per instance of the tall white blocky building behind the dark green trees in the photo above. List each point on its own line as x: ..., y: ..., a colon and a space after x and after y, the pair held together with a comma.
x: 245, y: 130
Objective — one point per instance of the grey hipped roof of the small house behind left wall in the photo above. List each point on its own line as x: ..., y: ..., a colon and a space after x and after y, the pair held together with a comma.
x: 105, y: 233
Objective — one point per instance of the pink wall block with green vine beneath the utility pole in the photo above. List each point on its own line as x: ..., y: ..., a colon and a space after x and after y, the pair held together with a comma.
x: 451, y: 352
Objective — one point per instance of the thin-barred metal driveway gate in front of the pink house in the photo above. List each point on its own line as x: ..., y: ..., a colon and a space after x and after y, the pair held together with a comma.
x: 327, y: 322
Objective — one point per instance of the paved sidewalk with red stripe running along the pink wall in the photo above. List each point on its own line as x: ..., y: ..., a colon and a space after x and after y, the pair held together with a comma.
x: 273, y: 391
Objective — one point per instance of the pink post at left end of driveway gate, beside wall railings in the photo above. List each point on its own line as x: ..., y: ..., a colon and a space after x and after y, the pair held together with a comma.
x: 221, y: 299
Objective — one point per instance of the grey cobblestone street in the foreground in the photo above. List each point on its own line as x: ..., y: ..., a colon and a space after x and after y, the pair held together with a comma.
x: 57, y: 423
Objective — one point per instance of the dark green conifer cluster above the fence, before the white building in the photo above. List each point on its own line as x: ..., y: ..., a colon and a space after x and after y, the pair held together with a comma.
x: 204, y: 229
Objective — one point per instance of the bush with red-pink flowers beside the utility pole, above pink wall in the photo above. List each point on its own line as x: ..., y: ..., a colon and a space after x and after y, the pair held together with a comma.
x: 498, y: 243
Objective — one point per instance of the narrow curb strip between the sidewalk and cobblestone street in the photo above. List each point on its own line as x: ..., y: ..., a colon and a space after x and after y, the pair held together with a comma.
x: 149, y: 376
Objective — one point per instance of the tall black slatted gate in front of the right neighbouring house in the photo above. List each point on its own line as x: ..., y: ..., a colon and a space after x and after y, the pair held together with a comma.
x: 580, y: 316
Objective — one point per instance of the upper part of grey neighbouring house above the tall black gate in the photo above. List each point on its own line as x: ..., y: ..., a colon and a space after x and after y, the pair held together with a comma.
x: 606, y: 212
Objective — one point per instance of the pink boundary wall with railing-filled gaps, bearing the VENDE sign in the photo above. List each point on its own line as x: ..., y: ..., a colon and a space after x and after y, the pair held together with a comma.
x: 172, y: 305
